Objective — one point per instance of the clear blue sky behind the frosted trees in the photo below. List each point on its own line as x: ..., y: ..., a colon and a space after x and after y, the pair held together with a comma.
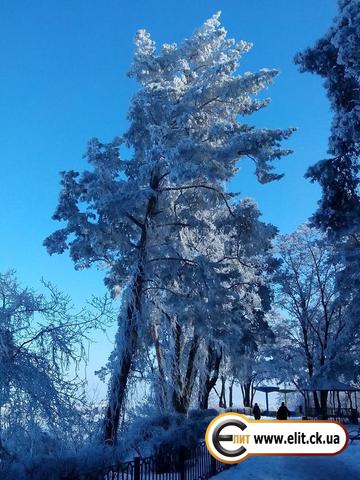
x: 63, y: 80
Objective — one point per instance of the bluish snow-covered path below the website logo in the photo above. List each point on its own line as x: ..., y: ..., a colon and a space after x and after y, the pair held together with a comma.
x: 343, y: 466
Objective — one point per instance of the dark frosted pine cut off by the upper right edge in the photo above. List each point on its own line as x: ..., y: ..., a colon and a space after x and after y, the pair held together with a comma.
x: 336, y: 58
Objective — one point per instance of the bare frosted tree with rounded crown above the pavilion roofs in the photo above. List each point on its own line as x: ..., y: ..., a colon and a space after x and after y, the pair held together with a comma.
x: 313, y: 347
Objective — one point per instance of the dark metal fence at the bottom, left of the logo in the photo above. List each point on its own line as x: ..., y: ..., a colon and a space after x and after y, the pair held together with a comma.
x: 184, y: 464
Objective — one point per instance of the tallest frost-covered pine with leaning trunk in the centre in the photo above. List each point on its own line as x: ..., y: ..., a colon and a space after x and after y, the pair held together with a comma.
x: 187, y: 134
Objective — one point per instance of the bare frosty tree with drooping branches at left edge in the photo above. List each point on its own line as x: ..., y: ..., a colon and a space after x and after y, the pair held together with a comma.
x: 43, y: 342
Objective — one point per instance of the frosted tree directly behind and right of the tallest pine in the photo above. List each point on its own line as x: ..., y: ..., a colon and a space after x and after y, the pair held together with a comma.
x: 244, y: 267
